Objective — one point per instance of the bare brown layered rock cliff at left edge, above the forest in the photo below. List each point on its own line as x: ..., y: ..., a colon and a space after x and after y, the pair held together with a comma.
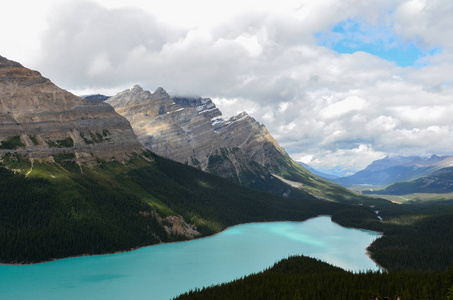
x: 40, y: 120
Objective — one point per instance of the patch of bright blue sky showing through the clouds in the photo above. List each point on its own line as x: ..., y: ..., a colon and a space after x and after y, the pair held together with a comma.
x: 352, y: 35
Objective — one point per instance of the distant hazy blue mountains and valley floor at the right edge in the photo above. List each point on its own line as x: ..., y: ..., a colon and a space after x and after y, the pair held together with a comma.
x: 404, y: 179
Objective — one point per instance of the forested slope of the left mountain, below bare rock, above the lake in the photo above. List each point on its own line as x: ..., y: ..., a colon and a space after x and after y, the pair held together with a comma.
x: 54, y: 210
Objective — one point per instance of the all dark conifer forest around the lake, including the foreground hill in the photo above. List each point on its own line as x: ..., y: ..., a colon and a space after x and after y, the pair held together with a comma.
x: 57, y: 211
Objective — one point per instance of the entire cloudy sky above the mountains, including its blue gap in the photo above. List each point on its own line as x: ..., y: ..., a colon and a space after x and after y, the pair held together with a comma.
x: 337, y: 83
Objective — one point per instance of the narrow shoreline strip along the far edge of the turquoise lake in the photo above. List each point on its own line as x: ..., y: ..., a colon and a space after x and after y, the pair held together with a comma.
x: 200, y: 238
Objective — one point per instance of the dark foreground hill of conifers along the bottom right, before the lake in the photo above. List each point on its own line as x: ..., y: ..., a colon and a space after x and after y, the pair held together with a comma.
x: 307, y: 278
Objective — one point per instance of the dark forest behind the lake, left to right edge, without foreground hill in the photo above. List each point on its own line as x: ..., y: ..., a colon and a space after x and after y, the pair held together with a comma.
x: 62, y: 209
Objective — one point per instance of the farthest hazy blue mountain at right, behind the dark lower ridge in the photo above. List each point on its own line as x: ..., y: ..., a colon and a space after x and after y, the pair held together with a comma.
x: 393, y: 169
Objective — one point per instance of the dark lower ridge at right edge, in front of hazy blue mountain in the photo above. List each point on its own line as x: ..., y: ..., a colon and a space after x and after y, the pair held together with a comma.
x: 438, y: 182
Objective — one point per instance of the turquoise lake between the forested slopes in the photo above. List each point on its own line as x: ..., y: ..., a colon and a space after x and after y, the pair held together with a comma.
x: 167, y: 270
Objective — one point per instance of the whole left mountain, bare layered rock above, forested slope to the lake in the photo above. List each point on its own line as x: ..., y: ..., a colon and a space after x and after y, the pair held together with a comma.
x: 74, y: 180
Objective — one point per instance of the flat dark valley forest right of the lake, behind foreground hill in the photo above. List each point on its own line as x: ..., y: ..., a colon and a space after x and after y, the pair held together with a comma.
x: 416, y: 236
